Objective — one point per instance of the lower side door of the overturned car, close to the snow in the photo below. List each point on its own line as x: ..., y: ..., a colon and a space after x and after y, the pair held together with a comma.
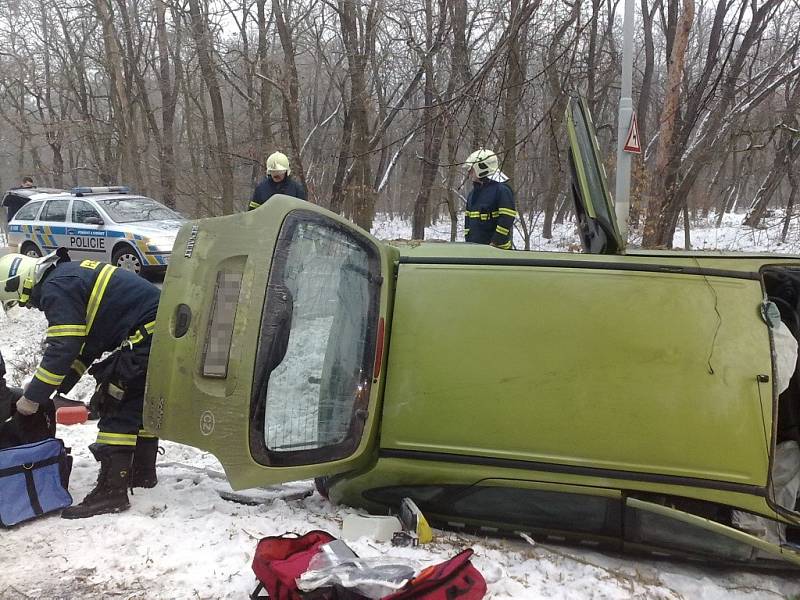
x: 663, y: 530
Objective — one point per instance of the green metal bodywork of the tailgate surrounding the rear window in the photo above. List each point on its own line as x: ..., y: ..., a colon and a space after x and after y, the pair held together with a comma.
x: 213, y: 413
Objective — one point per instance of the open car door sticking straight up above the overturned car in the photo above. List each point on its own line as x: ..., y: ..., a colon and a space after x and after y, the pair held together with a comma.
x: 597, y: 222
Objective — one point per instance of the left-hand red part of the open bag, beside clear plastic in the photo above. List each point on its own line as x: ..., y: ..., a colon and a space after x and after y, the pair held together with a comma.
x: 281, y: 559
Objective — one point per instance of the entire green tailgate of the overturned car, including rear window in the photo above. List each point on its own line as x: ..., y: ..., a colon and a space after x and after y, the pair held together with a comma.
x: 268, y: 342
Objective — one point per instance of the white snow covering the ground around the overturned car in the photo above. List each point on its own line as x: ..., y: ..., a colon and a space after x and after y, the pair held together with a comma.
x: 182, y: 540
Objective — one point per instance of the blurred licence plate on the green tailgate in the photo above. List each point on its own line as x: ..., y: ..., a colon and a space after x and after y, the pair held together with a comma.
x: 220, y: 327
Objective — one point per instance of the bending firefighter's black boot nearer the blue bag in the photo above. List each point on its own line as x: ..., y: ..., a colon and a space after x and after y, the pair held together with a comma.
x: 110, y: 494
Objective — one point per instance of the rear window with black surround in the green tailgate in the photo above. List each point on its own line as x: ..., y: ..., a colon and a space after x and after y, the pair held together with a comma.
x: 314, y: 363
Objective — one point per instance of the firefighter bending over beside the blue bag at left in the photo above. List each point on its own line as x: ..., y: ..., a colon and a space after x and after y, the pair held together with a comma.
x: 92, y: 308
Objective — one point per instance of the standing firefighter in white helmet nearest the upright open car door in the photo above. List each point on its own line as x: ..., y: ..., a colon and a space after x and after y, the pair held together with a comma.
x: 490, y: 213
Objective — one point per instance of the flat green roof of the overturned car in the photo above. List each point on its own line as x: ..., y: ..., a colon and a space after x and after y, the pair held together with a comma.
x: 548, y: 365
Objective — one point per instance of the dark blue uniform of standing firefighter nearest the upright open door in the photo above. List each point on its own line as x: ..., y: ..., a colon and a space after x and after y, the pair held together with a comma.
x: 490, y: 214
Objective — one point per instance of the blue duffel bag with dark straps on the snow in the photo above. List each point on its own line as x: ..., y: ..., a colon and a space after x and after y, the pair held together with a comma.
x: 33, y: 480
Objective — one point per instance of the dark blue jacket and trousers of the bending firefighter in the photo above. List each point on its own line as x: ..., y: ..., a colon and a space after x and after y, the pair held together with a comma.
x: 92, y: 308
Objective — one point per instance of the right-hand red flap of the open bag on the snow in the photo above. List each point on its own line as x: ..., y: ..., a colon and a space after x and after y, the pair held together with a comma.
x: 456, y: 578
